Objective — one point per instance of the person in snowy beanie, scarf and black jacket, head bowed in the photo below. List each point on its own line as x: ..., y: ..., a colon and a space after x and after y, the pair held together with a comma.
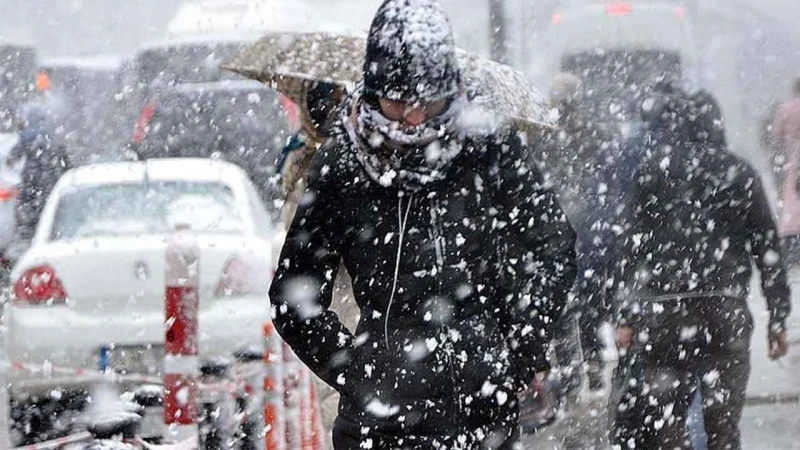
x: 460, y: 259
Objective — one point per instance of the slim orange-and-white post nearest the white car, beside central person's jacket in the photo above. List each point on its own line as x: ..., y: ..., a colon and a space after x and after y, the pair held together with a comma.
x: 274, y: 412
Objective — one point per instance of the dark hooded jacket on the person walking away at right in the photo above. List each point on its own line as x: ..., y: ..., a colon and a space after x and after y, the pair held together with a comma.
x: 698, y: 218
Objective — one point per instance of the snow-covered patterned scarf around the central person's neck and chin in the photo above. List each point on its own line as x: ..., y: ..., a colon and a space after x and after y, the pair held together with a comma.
x: 396, y: 156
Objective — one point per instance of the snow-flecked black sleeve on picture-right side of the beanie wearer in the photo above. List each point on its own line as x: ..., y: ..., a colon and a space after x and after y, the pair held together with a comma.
x: 537, y: 261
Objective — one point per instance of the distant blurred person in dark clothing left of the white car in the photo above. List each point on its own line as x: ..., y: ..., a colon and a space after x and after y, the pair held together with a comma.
x: 45, y: 162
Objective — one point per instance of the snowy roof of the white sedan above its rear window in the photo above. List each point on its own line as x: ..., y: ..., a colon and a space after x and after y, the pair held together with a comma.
x: 189, y: 169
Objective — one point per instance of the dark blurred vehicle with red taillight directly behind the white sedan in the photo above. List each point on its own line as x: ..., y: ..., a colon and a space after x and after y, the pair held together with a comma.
x: 238, y: 121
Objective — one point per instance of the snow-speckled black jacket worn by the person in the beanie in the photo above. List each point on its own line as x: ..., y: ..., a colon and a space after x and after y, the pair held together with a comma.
x: 458, y: 285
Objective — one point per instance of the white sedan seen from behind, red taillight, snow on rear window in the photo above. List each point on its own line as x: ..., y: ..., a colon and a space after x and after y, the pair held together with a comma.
x: 92, y: 282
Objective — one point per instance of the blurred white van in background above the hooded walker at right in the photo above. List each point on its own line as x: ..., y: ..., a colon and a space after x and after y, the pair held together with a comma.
x: 618, y: 49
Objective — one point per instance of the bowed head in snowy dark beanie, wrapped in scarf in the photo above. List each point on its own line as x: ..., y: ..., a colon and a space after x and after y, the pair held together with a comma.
x: 405, y: 120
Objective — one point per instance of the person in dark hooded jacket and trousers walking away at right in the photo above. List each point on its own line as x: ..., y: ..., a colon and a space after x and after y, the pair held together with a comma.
x: 698, y: 220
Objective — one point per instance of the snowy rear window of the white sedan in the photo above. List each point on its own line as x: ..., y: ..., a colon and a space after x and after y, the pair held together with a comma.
x: 130, y: 209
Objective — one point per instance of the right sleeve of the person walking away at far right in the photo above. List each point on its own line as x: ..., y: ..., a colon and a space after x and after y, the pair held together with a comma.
x: 768, y: 255
